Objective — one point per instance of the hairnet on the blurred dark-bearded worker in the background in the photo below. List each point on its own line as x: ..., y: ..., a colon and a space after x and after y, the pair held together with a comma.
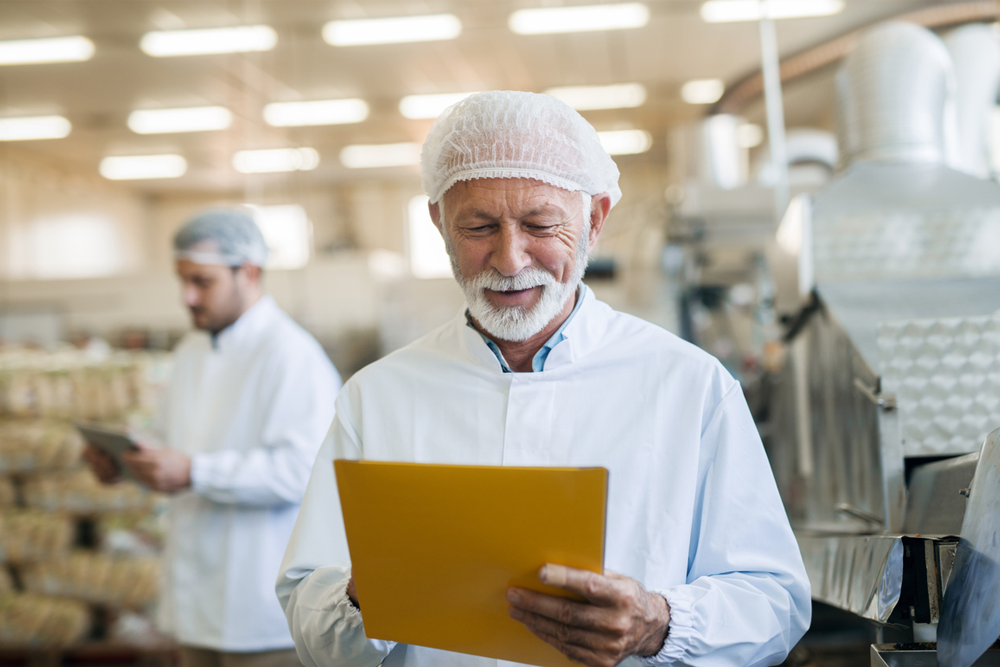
x: 236, y: 237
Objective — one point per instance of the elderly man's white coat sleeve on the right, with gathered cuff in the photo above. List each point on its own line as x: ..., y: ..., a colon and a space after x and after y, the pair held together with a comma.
x: 747, y: 597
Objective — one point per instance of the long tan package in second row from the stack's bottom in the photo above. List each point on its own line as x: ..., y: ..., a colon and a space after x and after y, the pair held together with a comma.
x: 95, y: 577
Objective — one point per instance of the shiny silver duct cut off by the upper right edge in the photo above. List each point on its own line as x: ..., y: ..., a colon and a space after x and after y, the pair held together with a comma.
x: 975, y: 52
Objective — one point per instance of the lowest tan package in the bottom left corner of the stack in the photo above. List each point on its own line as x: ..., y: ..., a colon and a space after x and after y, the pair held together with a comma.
x: 41, y: 622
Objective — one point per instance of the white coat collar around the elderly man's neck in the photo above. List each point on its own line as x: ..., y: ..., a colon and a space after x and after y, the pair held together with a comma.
x: 582, y: 334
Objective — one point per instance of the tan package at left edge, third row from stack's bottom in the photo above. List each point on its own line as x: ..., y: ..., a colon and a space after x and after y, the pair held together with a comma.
x: 32, y: 535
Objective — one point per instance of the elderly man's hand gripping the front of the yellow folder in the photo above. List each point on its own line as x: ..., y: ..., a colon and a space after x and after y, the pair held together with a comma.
x: 619, y: 619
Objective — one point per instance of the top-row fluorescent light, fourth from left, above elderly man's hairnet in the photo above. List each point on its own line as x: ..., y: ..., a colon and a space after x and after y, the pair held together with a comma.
x: 579, y: 19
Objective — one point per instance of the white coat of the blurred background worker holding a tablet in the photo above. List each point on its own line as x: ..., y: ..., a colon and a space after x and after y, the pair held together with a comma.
x: 251, y: 411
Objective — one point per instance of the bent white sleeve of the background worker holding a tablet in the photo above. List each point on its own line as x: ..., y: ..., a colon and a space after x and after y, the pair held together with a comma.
x: 297, y: 403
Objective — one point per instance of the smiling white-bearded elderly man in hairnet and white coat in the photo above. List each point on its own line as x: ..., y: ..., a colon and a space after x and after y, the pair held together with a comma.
x: 702, y: 565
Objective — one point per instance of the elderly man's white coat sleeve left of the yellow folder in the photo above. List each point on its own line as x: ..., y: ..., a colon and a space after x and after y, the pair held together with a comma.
x: 312, y: 586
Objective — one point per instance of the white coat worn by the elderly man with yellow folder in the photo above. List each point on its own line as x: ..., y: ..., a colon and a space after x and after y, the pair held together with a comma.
x: 693, y: 511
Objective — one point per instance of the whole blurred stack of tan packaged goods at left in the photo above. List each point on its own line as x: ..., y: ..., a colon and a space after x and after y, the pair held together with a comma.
x: 78, y: 560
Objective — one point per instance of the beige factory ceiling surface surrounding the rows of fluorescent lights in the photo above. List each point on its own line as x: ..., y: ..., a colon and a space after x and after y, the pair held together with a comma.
x: 97, y: 95
